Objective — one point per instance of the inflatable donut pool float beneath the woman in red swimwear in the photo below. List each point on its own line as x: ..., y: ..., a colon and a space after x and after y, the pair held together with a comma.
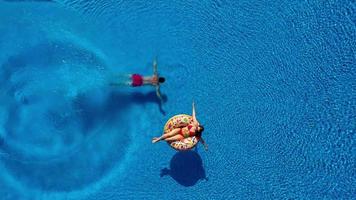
x: 178, y: 121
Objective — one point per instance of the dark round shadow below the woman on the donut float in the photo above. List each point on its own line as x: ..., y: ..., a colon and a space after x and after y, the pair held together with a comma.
x: 186, y: 168
